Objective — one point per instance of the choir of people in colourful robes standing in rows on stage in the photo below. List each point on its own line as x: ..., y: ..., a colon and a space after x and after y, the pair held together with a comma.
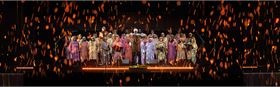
x: 106, y: 48
